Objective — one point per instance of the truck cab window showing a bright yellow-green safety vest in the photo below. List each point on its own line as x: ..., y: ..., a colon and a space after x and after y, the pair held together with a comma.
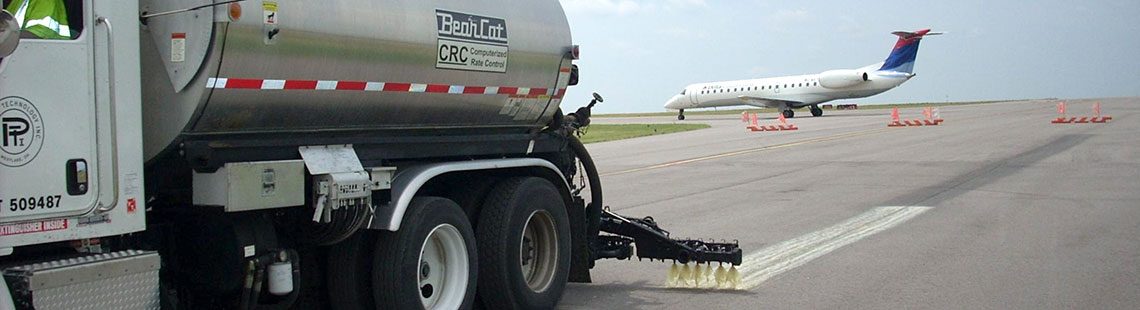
x: 50, y: 20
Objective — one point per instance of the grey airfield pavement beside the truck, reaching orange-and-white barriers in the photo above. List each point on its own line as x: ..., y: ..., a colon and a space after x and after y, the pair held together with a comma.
x: 995, y: 209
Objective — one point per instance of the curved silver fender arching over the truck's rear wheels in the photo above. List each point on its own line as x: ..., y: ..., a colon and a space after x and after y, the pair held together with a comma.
x: 409, y: 182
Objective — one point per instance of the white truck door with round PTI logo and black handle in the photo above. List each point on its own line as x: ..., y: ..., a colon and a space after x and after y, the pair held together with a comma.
x: 50, y: 161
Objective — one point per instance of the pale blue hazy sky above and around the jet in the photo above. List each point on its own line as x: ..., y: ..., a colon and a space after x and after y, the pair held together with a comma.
x: 638, y: 54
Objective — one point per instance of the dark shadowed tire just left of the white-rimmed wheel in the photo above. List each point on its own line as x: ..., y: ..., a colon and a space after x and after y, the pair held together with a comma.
x: 348, y: 288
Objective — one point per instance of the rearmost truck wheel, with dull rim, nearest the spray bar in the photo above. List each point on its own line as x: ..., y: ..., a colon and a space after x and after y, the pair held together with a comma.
x: 524, y: 246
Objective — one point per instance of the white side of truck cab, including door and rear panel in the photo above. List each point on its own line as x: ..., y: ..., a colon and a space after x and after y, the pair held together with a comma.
x: 71, y: 165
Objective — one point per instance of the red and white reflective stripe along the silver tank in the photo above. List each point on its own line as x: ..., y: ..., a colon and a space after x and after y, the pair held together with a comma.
x: 361, y: 86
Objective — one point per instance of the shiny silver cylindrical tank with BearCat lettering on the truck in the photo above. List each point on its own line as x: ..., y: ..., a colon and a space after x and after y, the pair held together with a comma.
x: 292, y: 67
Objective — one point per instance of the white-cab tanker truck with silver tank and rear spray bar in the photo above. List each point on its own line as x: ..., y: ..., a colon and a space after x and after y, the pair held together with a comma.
x: 284, y: 154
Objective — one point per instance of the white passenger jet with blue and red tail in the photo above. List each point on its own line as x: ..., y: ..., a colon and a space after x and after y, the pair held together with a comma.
x: 797, y: 92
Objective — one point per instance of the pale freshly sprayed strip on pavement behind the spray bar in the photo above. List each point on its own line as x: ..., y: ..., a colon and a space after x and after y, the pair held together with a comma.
x: 770, y: 263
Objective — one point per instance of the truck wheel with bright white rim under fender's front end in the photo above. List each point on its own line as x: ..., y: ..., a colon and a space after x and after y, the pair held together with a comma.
x: 430, y: 263
